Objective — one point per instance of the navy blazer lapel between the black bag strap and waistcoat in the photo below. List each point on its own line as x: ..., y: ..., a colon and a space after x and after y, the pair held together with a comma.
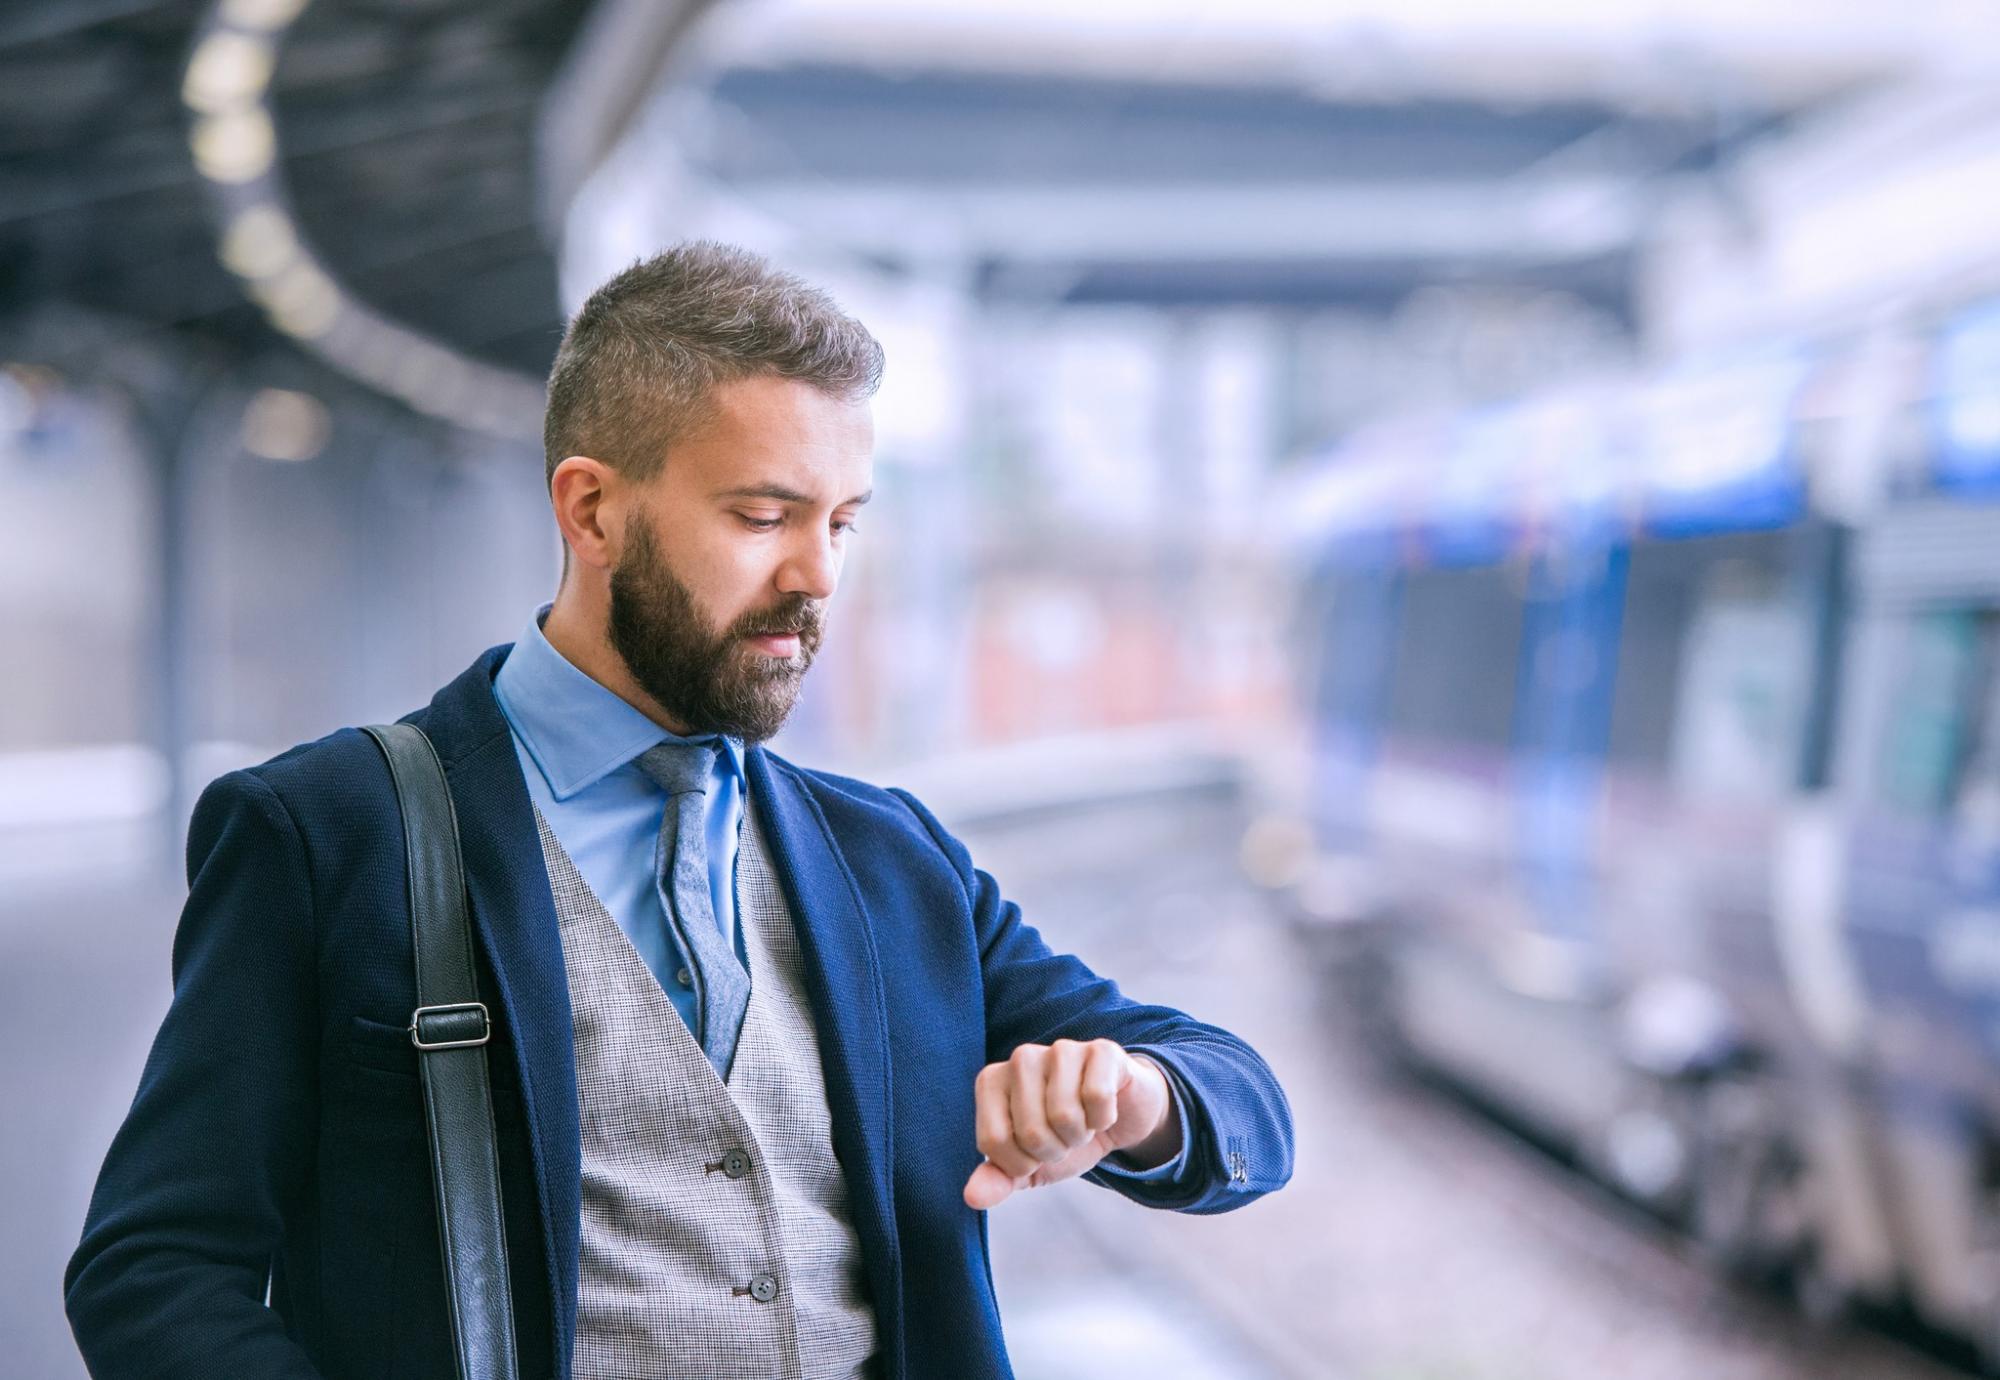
x: 515, y: 919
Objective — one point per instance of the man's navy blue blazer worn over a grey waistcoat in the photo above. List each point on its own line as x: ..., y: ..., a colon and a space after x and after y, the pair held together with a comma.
x: 279, y: 1135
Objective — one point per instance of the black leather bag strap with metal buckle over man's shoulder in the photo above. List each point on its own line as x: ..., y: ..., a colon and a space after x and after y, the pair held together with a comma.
x: 451, y: 1029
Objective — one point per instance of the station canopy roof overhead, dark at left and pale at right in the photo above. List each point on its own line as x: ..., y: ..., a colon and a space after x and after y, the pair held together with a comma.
x: 1305, y: 151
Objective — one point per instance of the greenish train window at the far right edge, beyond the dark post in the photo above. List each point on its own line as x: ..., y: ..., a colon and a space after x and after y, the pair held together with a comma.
x: 1931, y: 725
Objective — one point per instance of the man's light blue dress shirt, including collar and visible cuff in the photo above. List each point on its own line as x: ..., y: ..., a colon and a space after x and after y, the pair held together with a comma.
x: 579, y: 751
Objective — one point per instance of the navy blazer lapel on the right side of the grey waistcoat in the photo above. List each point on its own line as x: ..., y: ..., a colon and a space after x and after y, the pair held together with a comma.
x: 849, y: 1013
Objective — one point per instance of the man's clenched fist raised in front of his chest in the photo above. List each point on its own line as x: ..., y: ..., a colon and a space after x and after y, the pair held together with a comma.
x: 1053, y: 1111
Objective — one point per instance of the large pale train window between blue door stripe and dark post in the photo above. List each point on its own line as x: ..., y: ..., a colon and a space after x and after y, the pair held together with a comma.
x: 1715, y: 667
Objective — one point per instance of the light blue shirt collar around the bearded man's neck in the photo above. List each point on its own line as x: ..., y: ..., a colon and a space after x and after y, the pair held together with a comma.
x: 575, y: 729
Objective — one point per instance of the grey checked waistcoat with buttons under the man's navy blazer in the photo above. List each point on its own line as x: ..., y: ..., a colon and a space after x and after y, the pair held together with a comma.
x: 715, y: 1237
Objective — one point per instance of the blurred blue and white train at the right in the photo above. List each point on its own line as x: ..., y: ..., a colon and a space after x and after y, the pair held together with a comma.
x: 1657, y: 785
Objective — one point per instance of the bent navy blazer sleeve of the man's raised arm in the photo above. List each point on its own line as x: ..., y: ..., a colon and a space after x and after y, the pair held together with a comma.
x: 1237, y: 1113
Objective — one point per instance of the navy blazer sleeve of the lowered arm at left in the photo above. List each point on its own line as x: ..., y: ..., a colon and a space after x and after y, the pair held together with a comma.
x: 215, y: 1155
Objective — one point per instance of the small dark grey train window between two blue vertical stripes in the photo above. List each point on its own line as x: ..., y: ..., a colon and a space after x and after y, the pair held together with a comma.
x: 1457, y: 655
